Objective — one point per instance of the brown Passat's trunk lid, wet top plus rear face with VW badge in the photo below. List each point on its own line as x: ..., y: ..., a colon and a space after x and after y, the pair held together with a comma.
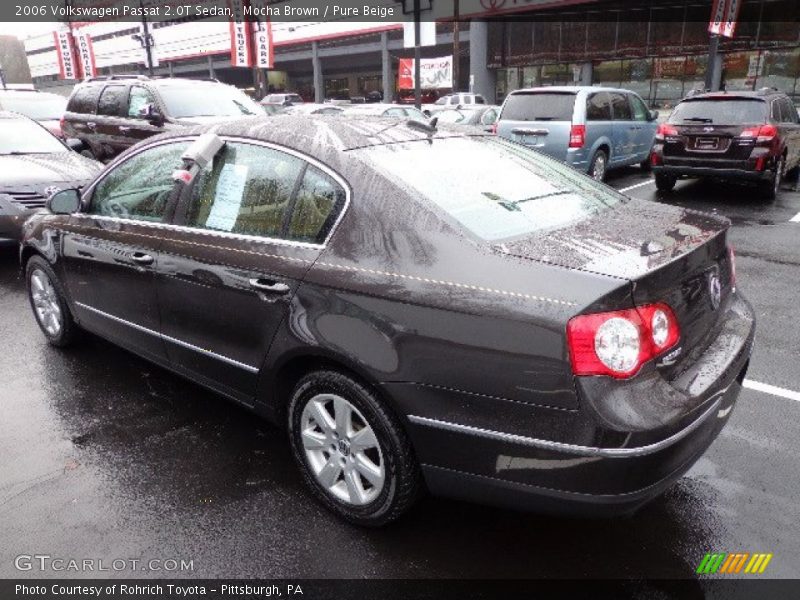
x: 668, y: 254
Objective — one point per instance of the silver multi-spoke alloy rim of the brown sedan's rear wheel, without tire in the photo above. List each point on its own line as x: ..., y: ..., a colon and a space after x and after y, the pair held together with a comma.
x: 342, y: 450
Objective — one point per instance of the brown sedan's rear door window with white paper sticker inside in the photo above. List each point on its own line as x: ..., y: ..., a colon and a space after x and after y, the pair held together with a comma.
x: 245, y: 191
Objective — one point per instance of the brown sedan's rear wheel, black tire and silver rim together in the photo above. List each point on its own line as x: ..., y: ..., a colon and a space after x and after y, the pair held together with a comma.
x: 369, y: 485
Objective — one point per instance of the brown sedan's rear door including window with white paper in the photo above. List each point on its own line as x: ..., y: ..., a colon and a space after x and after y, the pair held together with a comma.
x: 246, y: 231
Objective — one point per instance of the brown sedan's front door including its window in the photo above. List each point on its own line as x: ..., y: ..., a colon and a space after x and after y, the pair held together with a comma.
x: 111, y: 249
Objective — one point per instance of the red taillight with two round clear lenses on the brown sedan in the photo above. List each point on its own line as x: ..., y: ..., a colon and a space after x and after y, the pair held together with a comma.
x: 618, y: 343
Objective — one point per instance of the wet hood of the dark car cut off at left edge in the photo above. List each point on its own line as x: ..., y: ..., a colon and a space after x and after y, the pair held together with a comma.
x: 35, y: 169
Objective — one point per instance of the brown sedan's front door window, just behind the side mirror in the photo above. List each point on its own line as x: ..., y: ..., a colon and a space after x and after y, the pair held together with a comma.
x: 140, y: 187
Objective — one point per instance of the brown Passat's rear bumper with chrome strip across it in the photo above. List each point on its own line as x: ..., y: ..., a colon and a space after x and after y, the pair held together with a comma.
x: 621, y: 469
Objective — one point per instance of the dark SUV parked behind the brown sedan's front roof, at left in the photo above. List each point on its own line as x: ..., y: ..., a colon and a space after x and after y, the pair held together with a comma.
x: 110, y: 114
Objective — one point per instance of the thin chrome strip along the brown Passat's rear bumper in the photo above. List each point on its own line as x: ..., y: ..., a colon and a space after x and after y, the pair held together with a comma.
x: 523, y: 440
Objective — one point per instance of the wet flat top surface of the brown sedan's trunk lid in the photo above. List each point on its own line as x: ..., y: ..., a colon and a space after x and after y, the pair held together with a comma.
x: 626, y: 241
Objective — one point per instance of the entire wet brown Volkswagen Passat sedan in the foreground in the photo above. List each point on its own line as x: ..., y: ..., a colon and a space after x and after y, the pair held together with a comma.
x: 420, y: 308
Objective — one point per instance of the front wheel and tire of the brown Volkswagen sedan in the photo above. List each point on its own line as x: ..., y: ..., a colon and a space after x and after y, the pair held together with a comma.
x: 48, y: 302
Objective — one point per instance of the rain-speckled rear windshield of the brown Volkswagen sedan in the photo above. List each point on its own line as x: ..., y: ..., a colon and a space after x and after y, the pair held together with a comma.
x: 493, y: 188
